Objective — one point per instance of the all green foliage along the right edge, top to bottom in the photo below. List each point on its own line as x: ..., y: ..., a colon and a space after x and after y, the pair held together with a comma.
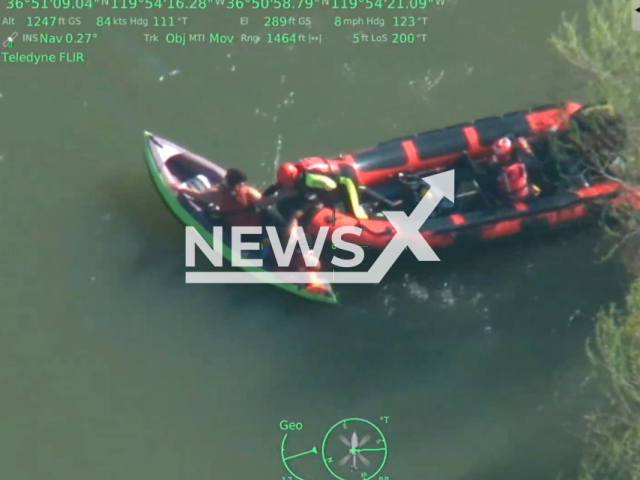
x: 608, y: 53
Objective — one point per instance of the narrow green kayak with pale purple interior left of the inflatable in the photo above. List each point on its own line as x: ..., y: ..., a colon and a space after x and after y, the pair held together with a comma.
x: 166, y: 160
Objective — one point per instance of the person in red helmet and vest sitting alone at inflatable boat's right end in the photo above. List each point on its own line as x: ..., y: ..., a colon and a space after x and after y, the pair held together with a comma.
x: 513, y: 178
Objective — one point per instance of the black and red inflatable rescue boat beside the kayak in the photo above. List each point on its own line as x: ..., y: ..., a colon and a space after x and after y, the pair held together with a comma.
x: 565, y: 194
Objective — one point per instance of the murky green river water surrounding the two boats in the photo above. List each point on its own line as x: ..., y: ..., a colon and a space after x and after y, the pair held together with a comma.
x: 113, y: 368
